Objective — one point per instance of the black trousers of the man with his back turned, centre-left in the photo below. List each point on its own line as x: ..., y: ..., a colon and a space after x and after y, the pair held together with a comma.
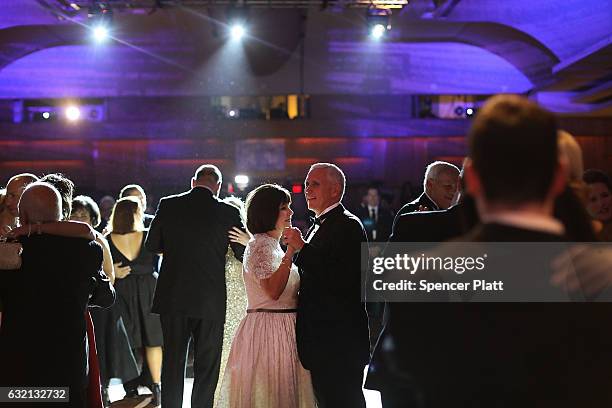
x: 207, y: 339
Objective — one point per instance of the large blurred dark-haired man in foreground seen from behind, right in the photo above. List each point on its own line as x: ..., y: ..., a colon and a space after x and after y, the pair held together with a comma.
x: 507, y: 354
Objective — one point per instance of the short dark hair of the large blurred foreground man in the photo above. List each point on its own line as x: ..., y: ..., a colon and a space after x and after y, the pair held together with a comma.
x: 513, y: 147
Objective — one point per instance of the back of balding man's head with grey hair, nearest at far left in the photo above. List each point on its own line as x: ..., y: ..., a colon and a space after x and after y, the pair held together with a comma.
x: 40, y: 202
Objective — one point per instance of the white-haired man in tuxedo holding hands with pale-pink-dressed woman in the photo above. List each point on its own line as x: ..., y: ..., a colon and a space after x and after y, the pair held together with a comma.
x: 332, y: 326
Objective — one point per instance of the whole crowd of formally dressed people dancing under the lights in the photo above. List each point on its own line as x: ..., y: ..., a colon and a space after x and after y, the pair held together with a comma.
x: 275, y: 315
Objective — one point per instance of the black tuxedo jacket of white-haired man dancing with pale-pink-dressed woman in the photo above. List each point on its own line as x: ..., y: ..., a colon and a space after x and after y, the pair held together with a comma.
x: 332, y: 325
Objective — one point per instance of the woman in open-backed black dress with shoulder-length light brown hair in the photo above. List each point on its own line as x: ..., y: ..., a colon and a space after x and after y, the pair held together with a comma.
x: 135, y: 284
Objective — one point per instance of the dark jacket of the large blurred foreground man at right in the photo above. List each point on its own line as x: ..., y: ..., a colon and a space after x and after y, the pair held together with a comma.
x: 504, y: 354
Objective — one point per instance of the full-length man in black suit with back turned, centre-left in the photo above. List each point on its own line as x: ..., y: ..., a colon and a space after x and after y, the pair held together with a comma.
x: 191, y: 231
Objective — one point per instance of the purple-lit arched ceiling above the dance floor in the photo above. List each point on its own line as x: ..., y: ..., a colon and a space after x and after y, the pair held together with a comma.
x: 561, y: 50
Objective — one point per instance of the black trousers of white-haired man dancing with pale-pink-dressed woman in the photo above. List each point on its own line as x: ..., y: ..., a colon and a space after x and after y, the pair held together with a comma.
x: 338, y: 386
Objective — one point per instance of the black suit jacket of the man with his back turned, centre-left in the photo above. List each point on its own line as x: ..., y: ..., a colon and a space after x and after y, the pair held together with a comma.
x: 190, y: 230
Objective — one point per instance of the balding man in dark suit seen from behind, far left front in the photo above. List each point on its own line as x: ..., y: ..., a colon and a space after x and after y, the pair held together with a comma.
x: 43, y: 339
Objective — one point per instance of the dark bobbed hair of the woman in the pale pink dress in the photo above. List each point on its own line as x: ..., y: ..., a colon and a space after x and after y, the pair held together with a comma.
x: 263, y: 205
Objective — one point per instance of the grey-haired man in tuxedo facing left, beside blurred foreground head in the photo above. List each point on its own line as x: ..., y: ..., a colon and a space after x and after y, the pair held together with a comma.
x: 439, y: 188
